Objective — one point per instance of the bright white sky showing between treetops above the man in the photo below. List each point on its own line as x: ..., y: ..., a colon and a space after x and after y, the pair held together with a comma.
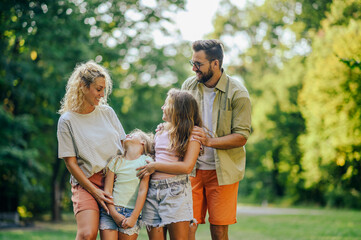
x: 196, y: 21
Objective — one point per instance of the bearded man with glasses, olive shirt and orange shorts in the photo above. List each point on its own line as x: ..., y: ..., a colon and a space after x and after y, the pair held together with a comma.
x: 226, y: 112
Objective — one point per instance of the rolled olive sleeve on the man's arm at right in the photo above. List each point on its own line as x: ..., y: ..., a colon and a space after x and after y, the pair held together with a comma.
x: 241, y: 116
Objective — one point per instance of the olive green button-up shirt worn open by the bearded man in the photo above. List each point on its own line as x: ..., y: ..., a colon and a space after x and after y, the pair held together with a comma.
x: 231, y: 114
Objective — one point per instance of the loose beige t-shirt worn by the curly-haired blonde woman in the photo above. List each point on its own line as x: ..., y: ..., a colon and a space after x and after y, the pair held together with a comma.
x: 92, y: 138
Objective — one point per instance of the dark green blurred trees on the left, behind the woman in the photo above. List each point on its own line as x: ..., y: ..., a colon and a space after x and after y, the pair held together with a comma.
x: 41, y: 42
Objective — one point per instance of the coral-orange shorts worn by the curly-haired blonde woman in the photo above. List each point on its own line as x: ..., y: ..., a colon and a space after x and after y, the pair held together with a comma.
x: 82, y: 199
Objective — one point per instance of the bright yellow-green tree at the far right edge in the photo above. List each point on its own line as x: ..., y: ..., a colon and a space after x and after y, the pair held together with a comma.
x: 330, y: 101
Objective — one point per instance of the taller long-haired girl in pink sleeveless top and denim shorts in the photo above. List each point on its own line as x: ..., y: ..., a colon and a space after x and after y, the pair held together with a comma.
x: 169, y: 199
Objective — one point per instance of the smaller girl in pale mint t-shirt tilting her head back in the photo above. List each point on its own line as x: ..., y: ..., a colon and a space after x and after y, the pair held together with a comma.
x: 129, y: 192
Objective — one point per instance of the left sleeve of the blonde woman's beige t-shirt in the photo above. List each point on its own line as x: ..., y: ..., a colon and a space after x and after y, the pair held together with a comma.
x: 66, y: 145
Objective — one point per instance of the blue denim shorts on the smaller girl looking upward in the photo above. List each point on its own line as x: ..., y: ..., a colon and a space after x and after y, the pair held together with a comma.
x: 107, y: 222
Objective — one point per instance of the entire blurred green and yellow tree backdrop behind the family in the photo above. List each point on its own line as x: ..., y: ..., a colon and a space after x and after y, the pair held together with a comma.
x: 299, y: 59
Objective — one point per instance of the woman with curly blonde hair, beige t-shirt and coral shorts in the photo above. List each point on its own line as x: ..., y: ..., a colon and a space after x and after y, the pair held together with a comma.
x: 89, y: 135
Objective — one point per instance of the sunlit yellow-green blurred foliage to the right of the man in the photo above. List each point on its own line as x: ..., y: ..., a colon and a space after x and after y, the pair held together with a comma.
x: 299, y: 59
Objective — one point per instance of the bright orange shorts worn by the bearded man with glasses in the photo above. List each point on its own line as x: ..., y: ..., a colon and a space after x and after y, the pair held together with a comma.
x: 220, y: 201
